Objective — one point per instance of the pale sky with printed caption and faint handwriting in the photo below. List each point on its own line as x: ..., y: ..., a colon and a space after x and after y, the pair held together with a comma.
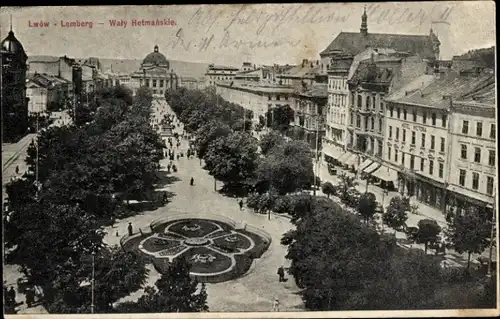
x: 232, y: 34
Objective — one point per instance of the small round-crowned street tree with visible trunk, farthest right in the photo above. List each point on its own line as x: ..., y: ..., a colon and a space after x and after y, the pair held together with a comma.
x: 469, y: 232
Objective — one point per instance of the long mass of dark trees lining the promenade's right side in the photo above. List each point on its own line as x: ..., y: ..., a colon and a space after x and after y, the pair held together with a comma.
x: 340, y: 259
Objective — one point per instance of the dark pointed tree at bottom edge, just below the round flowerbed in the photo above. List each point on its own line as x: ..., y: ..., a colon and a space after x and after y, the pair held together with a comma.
x: 175, y: 291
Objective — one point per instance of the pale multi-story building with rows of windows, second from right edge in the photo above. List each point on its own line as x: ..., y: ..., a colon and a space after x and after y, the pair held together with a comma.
x: 418, y: 135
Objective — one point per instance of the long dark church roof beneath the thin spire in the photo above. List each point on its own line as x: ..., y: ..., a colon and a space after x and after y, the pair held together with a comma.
x: 354, y: 43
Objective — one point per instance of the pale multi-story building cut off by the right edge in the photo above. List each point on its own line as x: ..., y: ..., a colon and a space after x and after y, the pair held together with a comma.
x: 472, y: 177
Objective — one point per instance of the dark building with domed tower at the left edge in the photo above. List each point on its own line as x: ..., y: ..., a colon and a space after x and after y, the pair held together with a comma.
x: 13, y: 81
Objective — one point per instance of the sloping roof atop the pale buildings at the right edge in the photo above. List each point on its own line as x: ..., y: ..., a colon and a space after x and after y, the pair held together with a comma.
x: 431, y: 91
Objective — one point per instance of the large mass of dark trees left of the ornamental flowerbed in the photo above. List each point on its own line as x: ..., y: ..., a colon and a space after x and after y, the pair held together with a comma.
x: 57, y: 210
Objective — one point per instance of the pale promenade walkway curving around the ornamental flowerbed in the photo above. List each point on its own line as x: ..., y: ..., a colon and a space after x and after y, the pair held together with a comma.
x: 253, y: 292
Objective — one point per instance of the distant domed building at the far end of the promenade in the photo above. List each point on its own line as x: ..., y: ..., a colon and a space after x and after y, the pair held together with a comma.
x: 155, y: 73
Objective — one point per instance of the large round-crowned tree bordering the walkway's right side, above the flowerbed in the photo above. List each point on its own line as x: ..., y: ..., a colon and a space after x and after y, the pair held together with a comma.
x: 233, y: 158
